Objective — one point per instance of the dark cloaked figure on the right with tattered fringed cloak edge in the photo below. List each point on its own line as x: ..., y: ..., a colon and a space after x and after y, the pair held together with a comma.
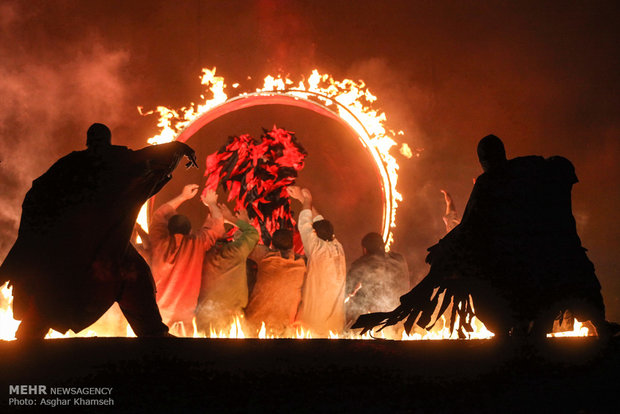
x: 516, y: 253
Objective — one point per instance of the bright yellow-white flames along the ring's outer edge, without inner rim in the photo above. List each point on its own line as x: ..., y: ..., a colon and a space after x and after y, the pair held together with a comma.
x: 351, y: 101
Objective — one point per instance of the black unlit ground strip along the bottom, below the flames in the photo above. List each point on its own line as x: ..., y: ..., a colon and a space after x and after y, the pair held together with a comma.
x: 570, y: 375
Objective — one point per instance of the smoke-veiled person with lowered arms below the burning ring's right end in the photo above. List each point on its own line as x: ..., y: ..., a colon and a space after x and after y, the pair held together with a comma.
x: 375, y: 280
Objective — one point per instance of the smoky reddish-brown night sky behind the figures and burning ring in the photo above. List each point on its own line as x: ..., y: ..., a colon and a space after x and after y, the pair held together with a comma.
x: 543, y: 76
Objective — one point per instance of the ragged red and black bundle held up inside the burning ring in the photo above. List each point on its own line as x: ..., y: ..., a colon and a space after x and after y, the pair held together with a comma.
x: 256, y: 175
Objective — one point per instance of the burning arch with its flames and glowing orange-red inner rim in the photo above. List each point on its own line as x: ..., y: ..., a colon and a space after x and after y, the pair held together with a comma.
x: 347, y: 102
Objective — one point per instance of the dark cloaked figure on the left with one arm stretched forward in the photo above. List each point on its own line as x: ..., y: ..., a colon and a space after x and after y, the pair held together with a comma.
x: 72, y: 259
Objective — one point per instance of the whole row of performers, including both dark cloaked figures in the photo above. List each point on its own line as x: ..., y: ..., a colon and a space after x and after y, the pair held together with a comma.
x: 515, y: 259
